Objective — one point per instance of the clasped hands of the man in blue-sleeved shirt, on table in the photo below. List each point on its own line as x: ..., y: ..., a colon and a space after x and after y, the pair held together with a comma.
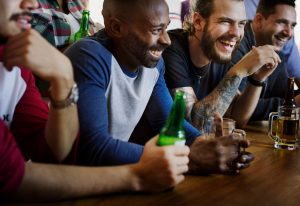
x: 220, y: 155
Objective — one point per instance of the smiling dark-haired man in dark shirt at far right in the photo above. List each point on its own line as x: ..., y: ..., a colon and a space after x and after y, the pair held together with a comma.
x: 273, y: 24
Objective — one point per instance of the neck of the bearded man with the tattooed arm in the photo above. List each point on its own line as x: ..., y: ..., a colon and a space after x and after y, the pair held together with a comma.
x: 197, y: 55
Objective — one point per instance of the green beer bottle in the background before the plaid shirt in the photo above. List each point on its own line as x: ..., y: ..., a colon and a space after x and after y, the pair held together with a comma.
x: 84, y: 27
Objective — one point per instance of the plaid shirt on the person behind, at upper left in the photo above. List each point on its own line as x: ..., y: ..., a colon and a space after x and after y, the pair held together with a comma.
x: 51, y: 23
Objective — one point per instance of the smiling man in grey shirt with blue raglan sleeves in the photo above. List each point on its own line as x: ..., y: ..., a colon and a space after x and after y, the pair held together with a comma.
x: 120, y: 76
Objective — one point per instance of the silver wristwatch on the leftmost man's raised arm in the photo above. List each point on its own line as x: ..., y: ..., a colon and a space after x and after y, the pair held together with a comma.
x: 71, y: 99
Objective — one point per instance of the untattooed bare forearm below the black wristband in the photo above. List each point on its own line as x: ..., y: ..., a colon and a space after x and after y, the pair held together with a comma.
x: 244, y: 106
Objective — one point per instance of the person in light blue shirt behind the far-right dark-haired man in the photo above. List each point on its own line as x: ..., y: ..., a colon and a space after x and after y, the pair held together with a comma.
x: 290, y: 49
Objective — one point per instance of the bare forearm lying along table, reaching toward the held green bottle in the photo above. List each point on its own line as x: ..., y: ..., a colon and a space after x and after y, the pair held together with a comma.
x: 43, y: 182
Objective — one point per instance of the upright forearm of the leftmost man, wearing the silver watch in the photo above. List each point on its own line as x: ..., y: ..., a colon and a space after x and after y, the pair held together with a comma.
x: 62, y: 125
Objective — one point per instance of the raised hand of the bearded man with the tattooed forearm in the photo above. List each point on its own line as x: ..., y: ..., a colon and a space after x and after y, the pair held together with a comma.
x: 260, y: 60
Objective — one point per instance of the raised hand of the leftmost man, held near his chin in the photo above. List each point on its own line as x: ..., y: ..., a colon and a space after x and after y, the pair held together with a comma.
x: 30, y: 50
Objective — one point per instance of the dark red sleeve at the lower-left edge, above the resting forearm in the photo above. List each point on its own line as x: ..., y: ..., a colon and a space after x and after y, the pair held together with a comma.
x: 12, y: 163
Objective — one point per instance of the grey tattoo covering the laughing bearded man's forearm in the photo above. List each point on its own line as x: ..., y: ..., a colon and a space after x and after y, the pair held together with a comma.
x: 217, y: 101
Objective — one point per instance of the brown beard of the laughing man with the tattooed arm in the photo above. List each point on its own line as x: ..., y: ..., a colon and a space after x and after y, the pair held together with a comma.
x: 208, y: 47
